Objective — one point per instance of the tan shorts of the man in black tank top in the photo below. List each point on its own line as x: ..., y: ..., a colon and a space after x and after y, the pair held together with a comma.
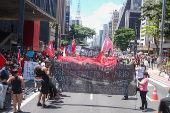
x: 15, y: 98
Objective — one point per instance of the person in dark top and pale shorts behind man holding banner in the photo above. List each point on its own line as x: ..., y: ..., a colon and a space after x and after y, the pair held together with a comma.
x: 38, y: 76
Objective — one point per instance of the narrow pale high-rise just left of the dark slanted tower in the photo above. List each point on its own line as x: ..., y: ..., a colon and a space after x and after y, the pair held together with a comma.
x: 115, y: 19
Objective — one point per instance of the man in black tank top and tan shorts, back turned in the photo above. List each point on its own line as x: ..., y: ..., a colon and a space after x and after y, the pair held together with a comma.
x: 16, y: 81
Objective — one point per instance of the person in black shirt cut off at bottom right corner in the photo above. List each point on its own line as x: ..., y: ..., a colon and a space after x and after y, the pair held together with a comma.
x: 164, y: 106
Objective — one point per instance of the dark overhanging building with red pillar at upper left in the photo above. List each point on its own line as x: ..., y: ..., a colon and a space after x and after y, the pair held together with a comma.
x: 27, y: 32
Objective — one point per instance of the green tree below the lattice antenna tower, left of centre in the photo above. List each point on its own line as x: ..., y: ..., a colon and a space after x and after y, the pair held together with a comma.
x: 79, y: 32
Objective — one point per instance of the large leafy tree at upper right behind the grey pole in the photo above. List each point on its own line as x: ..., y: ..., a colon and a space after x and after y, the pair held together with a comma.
x: 153, y: 11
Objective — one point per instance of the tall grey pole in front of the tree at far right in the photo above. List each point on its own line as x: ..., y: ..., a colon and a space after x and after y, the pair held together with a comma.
x: 162, y: 33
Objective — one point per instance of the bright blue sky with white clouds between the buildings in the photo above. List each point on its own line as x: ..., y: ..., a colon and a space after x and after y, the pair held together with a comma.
x: 95, y: 13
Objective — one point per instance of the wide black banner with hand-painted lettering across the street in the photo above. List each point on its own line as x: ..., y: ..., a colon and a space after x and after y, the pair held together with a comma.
x: 117, y: 79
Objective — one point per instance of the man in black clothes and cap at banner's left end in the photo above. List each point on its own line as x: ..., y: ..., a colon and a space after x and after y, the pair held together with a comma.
x: 45, y: 84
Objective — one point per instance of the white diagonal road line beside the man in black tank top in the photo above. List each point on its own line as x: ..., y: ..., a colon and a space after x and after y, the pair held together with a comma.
x: 26, y: 101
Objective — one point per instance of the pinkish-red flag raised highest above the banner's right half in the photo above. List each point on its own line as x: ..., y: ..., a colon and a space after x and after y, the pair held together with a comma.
x: 107, y: 45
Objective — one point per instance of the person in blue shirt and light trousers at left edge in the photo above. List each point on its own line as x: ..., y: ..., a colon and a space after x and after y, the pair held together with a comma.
x: 4, y: 75
